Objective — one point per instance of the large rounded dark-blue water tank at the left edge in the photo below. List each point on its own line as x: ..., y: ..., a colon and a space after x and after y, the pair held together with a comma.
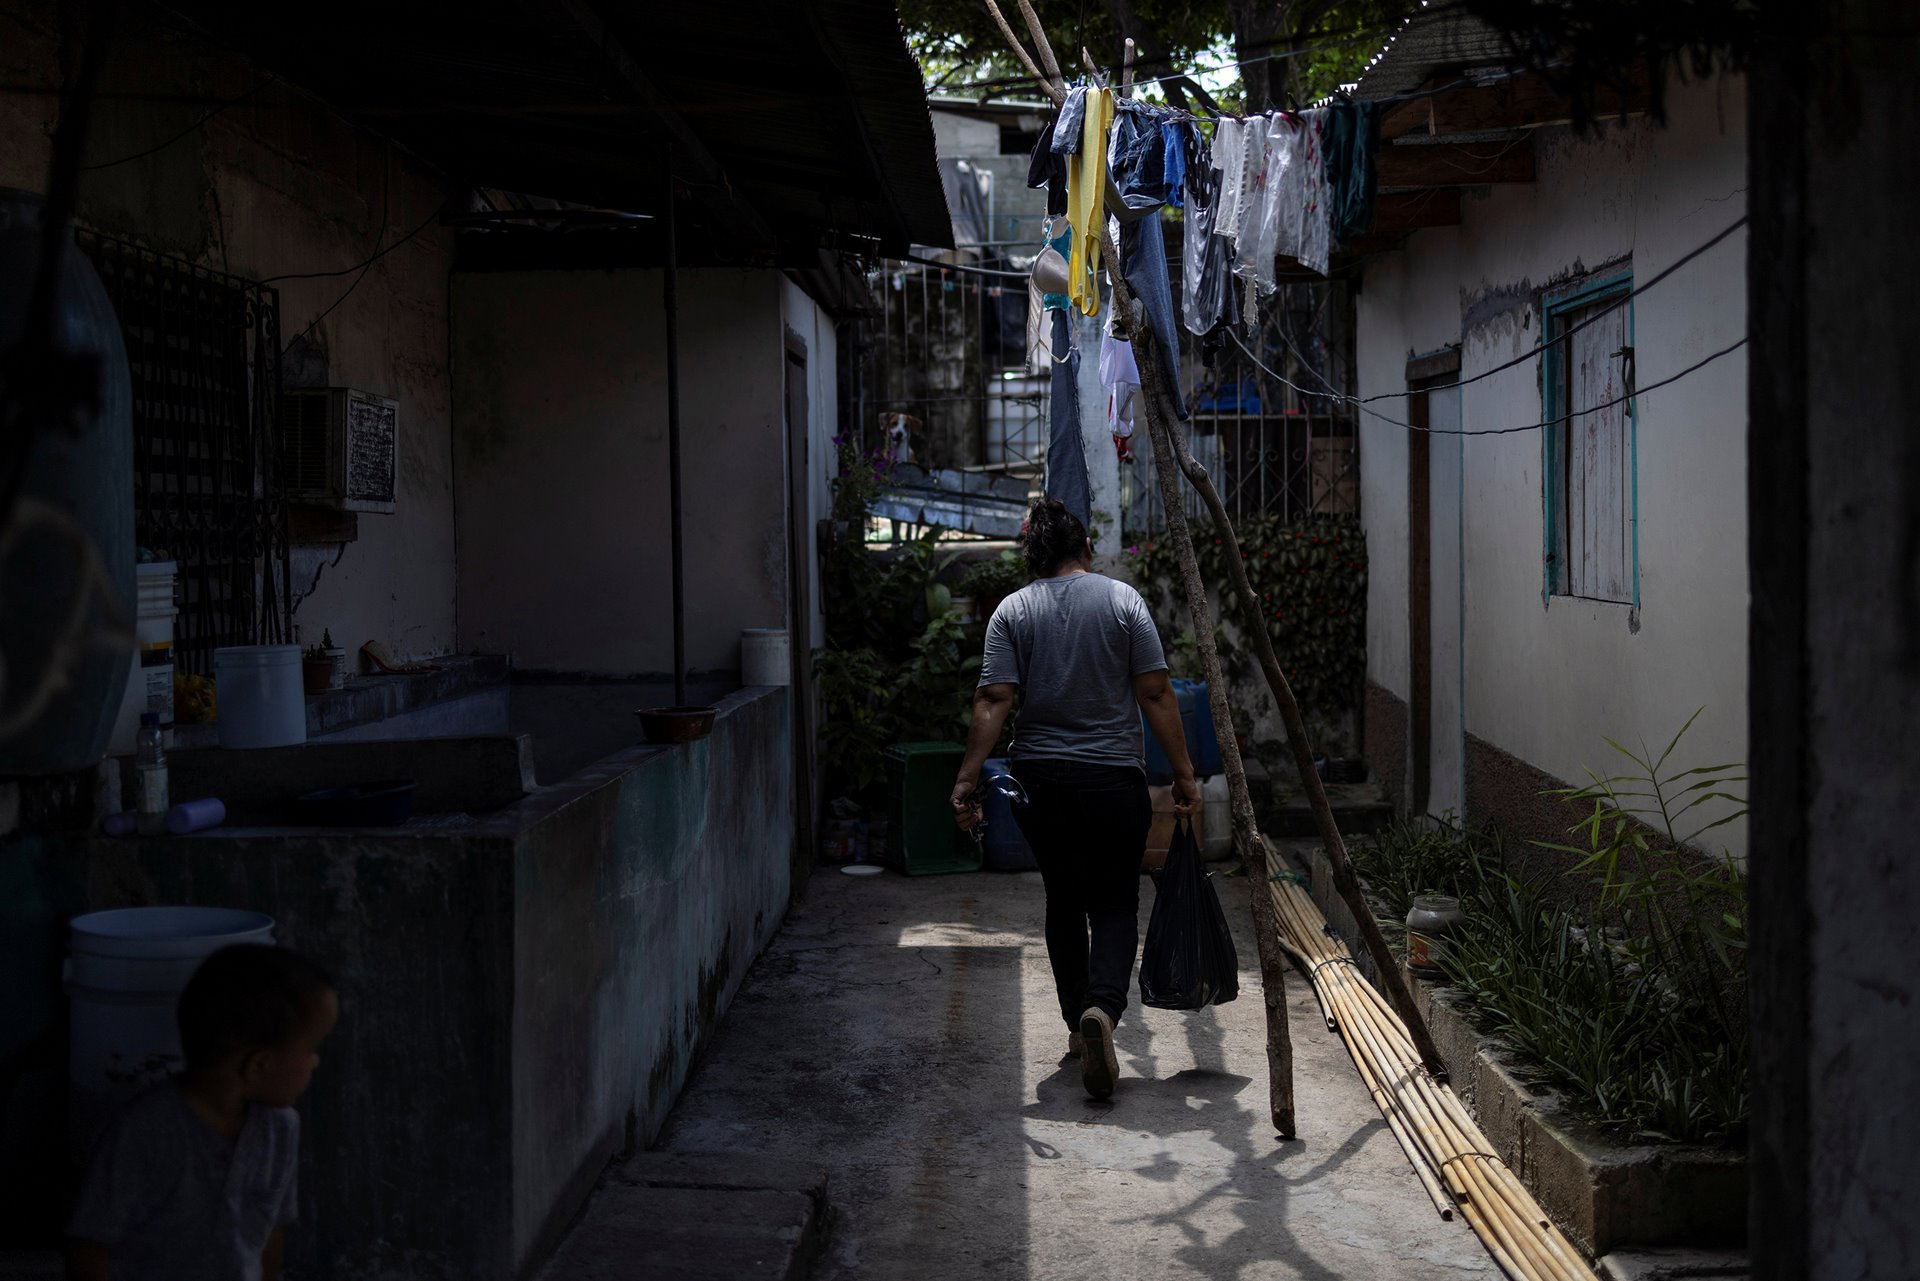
x: 78, y: 483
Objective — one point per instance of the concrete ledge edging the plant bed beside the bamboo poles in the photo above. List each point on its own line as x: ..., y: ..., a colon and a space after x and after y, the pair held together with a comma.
x: 1602, y: 1192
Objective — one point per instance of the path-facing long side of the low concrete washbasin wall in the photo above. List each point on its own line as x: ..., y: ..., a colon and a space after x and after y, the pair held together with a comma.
x: 642, y: 896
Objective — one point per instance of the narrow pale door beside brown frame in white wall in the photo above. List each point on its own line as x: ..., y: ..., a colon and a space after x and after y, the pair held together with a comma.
x: 1447, y: 740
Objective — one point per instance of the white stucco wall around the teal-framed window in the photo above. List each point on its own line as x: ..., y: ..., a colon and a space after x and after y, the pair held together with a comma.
x: 1547, y: 681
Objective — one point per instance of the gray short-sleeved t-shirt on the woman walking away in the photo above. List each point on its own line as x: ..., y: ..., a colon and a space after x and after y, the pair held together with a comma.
x: 1074, y: 646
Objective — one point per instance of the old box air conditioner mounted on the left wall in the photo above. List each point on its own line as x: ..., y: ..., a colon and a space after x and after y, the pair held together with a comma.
x: 339, y: 448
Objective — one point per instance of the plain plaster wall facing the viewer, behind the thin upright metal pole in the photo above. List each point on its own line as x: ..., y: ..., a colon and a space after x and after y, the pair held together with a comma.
x: 562, y: 466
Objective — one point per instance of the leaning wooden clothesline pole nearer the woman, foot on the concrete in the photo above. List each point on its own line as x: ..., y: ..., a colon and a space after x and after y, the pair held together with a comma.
x: 1247, y: 838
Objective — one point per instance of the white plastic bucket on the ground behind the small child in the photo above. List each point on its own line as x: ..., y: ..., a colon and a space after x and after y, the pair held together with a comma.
x: 124, y: 980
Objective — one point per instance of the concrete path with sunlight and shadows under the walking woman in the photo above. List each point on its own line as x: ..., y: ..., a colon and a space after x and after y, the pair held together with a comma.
x: 903, y: 1034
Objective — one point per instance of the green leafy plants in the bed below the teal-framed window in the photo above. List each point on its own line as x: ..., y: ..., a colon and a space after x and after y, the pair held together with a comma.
x: 1629, y: 1003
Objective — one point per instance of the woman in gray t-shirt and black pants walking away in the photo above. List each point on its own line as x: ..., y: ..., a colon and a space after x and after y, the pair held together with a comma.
x: 1086, y: 658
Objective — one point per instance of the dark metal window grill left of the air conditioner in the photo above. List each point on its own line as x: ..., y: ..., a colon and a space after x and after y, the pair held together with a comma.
x: 204, y: 354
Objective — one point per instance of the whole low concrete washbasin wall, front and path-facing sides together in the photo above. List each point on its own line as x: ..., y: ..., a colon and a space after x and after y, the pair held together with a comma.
x: 523, y: 990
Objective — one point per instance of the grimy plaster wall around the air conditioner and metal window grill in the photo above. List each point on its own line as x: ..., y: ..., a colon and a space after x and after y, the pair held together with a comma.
x: 276, y: 185
